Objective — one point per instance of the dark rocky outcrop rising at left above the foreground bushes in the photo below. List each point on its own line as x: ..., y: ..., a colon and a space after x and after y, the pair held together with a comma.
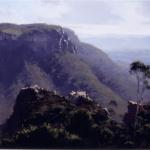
x: 33, y: 101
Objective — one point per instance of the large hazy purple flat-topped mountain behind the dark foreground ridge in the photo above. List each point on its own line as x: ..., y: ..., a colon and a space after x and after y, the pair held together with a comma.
x: 54, y: 58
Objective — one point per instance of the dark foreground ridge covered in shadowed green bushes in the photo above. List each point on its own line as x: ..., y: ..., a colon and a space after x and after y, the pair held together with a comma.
x: 43, y: 119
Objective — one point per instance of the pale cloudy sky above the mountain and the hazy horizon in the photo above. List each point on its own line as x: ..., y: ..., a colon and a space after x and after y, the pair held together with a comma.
x: 91, y: 20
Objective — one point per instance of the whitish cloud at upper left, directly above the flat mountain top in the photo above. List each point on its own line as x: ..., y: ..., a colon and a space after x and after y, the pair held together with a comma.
x: 31, y: 11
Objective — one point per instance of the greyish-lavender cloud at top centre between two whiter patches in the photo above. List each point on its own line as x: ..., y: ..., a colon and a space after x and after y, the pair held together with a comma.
x: 88, y: 11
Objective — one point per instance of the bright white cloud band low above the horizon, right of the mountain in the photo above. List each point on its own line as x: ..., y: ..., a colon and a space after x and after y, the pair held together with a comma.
x: 94, y: 30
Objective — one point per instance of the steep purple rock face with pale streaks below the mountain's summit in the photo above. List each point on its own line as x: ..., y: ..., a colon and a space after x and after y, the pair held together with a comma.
x: 48, y: 41
